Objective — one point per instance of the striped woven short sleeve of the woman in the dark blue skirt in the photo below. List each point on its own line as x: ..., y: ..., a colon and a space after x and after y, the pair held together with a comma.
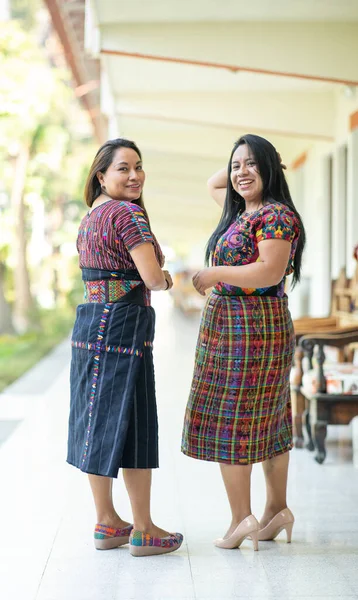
x: 132, y: 226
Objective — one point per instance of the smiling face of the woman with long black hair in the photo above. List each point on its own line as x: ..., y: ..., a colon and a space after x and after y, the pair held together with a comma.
x: 245, y: 177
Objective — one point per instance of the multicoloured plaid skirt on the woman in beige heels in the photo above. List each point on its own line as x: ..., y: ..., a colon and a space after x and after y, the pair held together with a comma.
x: 239, y: 409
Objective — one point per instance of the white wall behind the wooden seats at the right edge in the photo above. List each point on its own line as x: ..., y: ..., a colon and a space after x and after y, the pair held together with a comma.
x: 311, y: 190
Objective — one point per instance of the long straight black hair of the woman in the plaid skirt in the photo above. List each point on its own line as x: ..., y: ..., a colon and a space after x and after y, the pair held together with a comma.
x: 275, y: 189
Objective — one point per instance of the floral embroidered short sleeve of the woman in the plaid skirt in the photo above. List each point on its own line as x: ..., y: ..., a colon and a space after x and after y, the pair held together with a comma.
x: 277, y: 223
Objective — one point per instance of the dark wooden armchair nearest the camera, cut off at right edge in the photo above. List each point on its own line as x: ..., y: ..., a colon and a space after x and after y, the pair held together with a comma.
x: 326, y: 408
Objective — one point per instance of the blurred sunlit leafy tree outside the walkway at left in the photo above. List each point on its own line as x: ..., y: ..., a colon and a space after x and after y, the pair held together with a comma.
x: 44, y: 142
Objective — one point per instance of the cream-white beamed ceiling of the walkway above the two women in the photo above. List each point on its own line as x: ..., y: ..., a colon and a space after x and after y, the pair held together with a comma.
x: 185, y: 118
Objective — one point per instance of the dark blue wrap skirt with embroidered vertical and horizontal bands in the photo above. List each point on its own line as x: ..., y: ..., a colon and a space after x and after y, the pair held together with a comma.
x: 113, y: 415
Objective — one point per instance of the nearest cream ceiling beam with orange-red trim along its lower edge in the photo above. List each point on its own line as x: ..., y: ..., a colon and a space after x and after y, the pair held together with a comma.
x: 321, y: 52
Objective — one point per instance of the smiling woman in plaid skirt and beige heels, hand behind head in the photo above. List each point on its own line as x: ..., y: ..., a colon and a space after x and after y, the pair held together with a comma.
x: 239, y: 409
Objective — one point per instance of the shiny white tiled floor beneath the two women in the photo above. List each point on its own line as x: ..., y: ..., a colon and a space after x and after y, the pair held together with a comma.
x: 46, y: 548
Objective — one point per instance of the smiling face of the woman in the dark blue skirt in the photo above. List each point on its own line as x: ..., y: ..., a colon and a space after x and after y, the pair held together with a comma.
x: 124, y: 178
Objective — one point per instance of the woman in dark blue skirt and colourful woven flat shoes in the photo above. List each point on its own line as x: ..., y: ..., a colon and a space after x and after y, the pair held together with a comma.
x: 113, y: 414
